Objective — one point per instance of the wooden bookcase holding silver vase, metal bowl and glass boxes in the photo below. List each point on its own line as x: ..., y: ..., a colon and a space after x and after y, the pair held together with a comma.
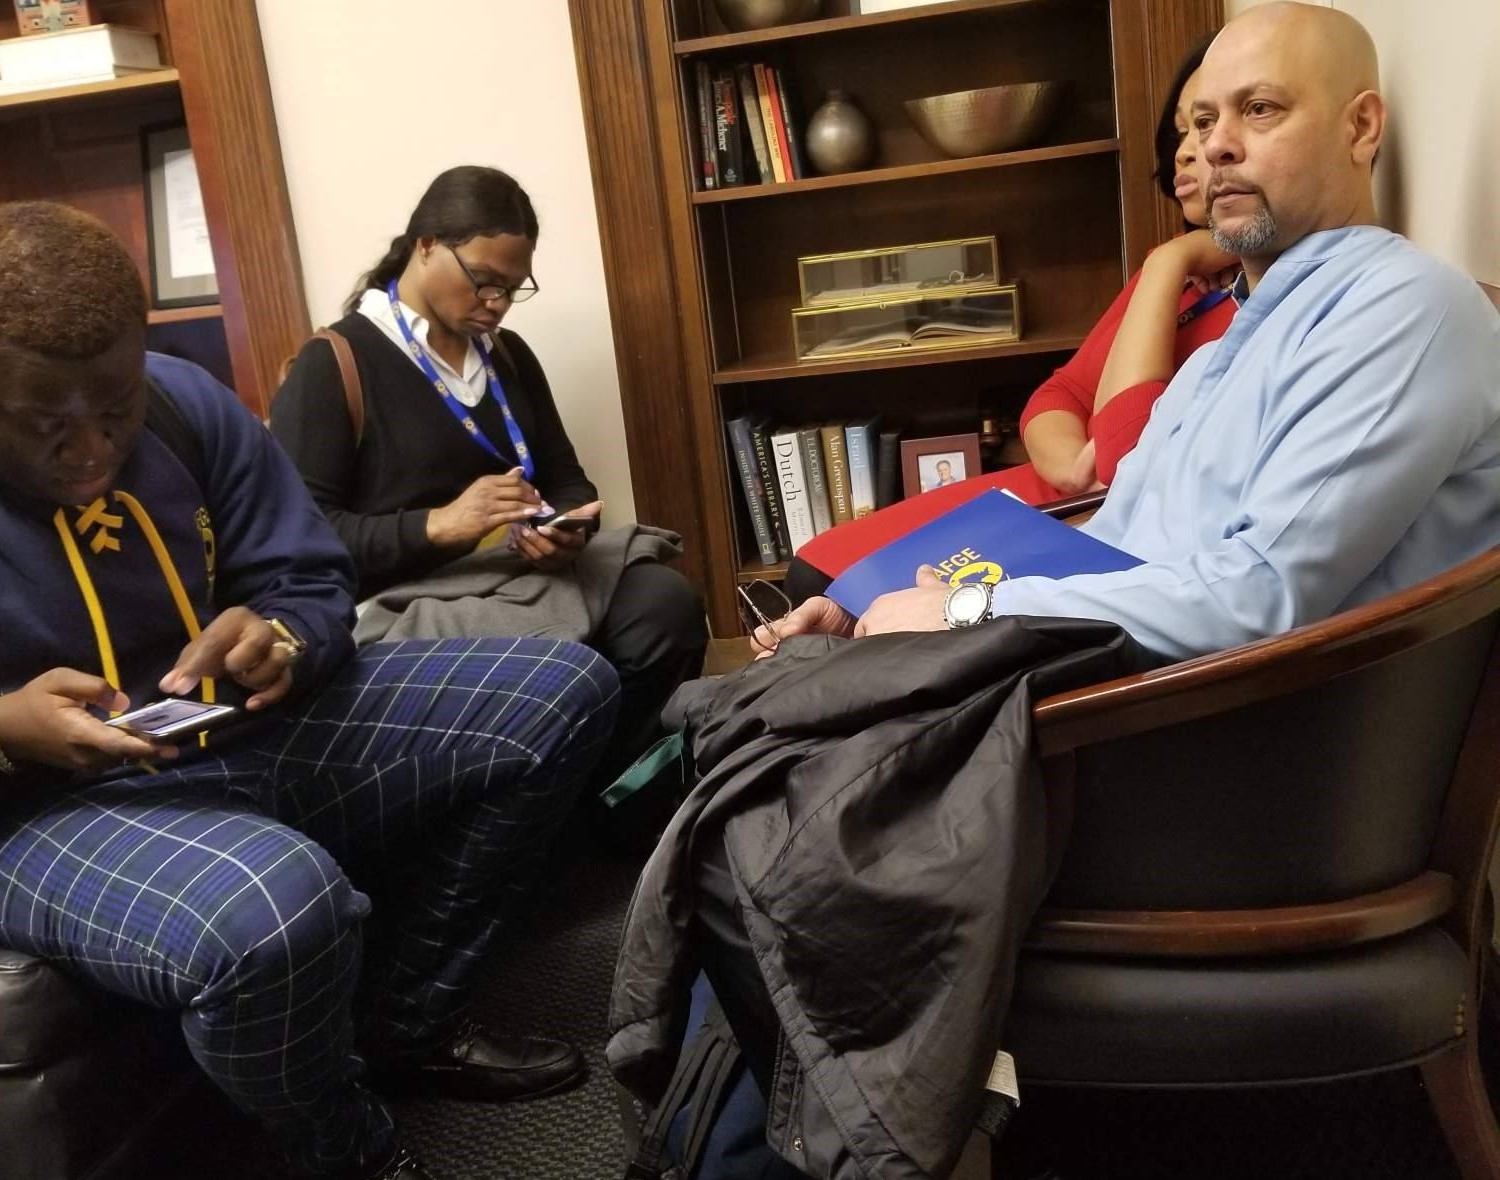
x: 1073, y: 215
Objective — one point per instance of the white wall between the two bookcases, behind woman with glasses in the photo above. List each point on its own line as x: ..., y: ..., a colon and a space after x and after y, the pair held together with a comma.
x: 374, y: 98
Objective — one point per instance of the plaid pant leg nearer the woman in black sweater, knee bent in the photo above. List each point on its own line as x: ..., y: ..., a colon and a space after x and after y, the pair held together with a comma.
x: 439, y: 774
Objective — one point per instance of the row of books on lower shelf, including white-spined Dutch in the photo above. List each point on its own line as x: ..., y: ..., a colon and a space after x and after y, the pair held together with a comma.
x: 802, y: 481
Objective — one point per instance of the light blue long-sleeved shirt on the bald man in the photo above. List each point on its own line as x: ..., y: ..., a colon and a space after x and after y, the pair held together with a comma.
x: 1339, y: 443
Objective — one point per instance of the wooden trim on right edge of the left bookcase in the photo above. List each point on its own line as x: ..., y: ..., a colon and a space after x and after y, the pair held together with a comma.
x: 232, y: 124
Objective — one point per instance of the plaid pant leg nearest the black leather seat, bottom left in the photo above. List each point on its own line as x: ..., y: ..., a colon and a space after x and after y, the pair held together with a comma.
x: 169, y: 891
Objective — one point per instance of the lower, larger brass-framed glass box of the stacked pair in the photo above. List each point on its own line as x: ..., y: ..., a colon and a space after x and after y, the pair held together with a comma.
x: 919, y: 323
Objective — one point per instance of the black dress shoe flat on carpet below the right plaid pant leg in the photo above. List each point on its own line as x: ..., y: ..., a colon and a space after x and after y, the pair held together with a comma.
x: 490, y: 1067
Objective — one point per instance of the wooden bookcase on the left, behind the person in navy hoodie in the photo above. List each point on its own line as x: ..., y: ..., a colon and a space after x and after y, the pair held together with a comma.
x: 82, y: 145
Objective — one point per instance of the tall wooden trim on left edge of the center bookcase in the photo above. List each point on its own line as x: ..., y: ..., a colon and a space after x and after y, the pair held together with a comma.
x: 635, y: 221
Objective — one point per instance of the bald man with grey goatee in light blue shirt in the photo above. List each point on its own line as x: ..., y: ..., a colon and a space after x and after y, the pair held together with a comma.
x: 1342, y: 442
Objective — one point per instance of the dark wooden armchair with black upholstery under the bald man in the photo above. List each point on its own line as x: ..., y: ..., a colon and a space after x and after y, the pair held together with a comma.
x: 1271, y: 863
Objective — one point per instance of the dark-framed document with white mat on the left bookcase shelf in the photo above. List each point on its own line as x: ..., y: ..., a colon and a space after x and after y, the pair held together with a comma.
x: 176, y: 226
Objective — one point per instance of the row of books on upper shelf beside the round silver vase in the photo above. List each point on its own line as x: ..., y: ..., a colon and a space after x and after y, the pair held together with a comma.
x: 748, y: 130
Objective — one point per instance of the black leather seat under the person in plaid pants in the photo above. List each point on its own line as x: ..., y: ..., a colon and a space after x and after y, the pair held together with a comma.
x: 83, y: 1076
